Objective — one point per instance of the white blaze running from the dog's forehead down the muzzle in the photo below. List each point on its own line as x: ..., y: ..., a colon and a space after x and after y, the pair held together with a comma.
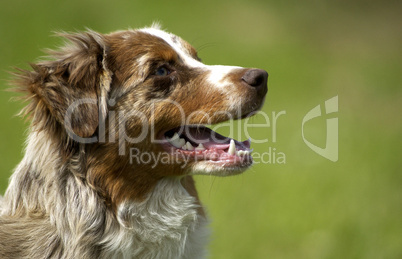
x: 217, y: 74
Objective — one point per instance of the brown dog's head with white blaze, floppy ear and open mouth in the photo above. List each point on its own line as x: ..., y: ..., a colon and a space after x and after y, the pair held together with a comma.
x: 137, y: 101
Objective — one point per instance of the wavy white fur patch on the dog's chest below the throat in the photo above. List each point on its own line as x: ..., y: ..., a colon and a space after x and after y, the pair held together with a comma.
x: 166, y: 225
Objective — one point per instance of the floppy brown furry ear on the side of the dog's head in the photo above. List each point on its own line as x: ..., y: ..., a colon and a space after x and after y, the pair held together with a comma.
x: 73, y: 86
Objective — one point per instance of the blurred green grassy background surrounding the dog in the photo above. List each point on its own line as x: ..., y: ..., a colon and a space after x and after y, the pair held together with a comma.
x: 302, y: 205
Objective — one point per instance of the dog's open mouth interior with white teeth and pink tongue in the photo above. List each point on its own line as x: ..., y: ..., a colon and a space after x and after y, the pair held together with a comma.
x: 200, y: 143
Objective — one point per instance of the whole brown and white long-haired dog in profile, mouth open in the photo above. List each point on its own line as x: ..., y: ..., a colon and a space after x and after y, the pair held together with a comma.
x: 116, y: 135
